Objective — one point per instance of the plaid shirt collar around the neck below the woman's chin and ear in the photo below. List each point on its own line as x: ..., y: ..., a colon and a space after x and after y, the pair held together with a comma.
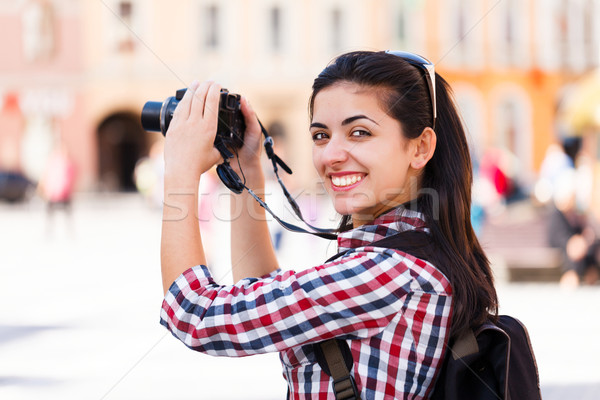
x: 392, y: 222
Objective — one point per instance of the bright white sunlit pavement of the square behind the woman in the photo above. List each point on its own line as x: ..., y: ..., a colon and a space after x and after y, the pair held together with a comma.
x: 81, y: 298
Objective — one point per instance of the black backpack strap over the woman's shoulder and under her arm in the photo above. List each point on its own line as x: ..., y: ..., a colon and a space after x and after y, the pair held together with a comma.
x: 333, y: 355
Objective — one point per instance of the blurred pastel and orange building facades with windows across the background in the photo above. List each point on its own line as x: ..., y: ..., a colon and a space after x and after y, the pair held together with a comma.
x: 81, y: 71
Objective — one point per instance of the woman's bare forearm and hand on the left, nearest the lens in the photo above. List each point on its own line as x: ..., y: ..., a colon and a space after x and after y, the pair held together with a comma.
x: 189, y: 152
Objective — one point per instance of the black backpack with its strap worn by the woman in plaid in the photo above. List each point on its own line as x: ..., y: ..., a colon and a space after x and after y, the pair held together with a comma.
x: 495, y: 361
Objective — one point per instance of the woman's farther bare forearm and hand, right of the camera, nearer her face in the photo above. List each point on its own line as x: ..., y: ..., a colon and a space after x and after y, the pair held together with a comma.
x: 252, y: 253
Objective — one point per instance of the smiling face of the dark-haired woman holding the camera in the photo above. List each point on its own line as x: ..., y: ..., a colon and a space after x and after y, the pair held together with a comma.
x: 360, y: 152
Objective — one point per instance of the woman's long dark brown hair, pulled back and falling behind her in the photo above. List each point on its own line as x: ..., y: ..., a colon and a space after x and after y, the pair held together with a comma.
x: 403, y: 93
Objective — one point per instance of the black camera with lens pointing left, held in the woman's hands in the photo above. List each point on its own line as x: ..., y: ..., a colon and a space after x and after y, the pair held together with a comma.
x: 157, y: 116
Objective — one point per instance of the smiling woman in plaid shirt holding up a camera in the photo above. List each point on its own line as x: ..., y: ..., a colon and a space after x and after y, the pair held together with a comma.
x: 392, y: 177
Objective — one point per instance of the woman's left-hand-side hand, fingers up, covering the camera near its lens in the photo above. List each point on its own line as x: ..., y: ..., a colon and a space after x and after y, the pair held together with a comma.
x: 189, y: 143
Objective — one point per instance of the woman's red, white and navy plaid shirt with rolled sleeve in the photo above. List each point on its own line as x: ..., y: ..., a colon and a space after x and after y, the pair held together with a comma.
x: 392, y: 308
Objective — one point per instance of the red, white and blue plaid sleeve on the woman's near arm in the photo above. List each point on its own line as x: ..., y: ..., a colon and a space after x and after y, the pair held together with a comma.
x: 355, y: 297
